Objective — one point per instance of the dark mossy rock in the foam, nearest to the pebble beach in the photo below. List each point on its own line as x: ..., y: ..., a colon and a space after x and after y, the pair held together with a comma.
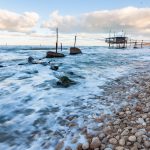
x: 64, y: 81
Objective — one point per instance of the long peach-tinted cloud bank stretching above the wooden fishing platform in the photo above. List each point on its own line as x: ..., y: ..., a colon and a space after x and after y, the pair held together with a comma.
x: 130, y: 19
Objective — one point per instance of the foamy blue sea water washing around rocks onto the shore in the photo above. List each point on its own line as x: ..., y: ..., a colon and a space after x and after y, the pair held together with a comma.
x: 36, y: 113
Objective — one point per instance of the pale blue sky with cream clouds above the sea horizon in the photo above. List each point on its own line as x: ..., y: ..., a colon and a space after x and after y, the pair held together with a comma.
x: 33, y: 22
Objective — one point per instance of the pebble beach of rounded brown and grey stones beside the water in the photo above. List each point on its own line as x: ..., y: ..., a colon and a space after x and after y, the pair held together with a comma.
x: 129, y: 127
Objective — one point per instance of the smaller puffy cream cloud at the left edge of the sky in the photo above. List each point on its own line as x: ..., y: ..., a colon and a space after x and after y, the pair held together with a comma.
x: 14, y: 22
